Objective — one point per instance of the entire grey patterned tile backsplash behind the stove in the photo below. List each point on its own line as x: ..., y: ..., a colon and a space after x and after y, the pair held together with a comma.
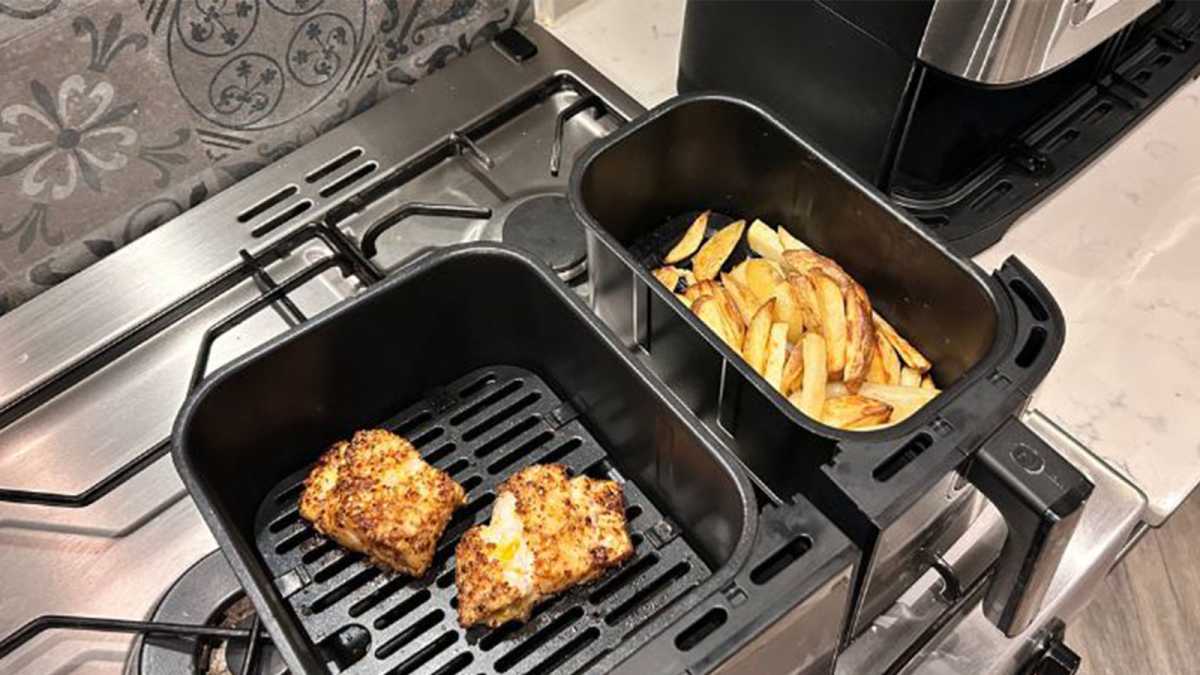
x: 117, y: 116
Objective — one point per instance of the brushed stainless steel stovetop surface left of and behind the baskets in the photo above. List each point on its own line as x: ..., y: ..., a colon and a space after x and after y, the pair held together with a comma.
x: 94, y: 519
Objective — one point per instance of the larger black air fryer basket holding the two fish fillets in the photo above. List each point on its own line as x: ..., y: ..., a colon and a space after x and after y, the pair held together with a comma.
x: 494, y: 366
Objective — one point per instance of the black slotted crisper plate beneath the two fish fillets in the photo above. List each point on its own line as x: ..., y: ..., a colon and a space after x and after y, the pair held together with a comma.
x: 481, y: 429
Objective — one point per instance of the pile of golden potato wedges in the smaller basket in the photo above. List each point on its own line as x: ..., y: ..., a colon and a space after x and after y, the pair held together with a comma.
x: 801, y: 322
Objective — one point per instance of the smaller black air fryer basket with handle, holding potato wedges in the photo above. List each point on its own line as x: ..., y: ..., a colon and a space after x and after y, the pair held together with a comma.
x: 992, y: 338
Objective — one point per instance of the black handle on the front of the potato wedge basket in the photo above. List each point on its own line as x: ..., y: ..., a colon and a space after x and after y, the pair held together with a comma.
x: 1041, y: 497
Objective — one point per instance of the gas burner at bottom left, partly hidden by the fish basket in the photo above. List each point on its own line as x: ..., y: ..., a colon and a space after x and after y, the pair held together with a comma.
x: 208, y: 589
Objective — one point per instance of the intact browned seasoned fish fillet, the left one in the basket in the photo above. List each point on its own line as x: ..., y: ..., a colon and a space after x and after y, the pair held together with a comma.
x: 376, y: 495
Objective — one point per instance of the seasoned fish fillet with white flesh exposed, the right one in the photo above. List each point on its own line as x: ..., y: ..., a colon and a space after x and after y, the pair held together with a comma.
x: 548, y: 534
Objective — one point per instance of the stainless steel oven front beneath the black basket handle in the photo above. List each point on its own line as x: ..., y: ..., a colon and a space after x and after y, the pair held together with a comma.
x: 939, y: 626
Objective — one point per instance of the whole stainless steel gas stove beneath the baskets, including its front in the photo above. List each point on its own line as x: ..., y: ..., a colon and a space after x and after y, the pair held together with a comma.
x: 109, y: 566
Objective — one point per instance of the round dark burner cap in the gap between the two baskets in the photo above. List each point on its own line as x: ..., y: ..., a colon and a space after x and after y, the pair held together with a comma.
x: 545, y: 226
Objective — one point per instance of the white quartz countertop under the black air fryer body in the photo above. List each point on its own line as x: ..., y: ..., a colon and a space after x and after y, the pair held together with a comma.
x: 1119, y: 247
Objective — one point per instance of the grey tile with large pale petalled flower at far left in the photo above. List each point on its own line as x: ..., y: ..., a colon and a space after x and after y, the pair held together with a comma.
x: 89, y: 127
